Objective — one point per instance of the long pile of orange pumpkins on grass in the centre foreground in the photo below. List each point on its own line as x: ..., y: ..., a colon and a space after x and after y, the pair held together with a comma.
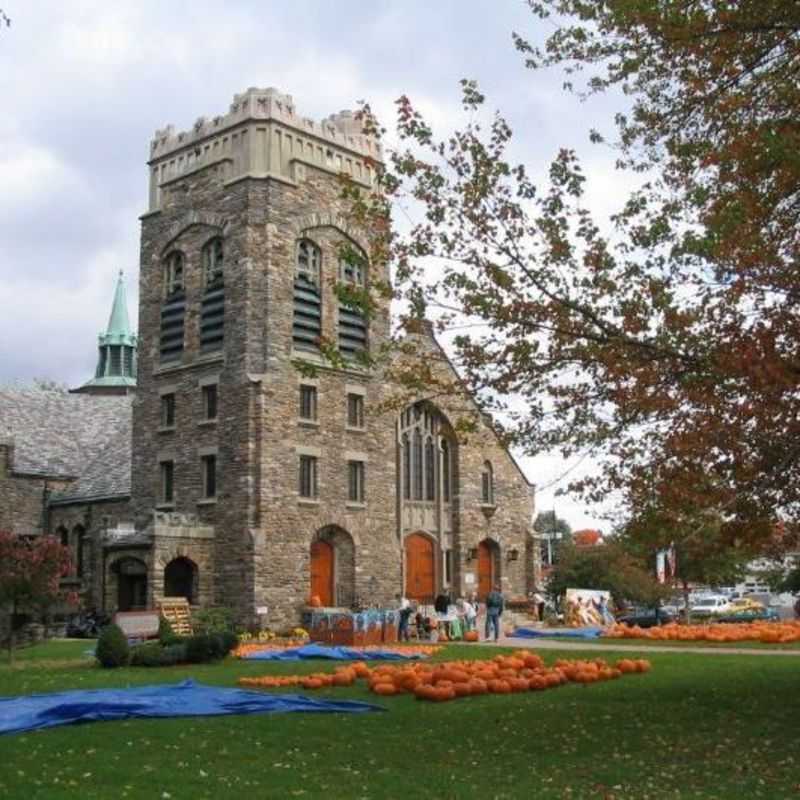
x: 520, y: 672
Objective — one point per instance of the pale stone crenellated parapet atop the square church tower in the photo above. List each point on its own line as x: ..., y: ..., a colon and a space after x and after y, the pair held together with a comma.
x: 262, y: 136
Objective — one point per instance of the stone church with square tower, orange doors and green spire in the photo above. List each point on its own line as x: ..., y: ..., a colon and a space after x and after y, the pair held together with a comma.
x: 229, y: 476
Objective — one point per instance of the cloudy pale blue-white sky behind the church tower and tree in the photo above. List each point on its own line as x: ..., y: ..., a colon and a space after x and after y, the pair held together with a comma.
x: 85, y: 83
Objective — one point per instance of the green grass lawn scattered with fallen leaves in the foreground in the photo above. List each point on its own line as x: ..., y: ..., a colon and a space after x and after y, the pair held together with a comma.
x: 696, y: 726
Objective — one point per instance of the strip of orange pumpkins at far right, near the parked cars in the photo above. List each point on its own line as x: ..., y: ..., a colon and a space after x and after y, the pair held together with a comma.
x: 766, y: 632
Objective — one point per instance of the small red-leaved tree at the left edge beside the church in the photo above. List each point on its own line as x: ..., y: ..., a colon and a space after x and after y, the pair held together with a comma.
x: 30, y: 573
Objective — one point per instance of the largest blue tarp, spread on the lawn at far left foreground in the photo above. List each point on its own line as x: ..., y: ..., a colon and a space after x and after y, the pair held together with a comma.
x: 186, y: 699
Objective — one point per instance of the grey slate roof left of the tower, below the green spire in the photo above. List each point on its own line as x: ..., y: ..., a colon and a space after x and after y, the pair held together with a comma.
x: 86, y: 437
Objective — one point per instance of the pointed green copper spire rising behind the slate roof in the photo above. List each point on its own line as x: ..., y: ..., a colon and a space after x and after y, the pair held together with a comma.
x: 116, y: 362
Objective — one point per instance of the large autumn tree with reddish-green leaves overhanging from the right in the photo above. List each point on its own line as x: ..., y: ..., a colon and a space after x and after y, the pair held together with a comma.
x: 666, y: 344
